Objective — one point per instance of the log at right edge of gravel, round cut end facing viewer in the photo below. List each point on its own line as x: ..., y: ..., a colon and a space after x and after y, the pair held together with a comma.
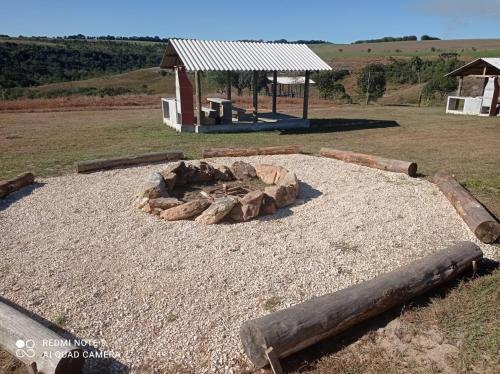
x: 479, y: 220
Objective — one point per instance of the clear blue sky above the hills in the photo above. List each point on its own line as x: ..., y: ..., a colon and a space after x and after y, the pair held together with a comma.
x: 339, y: 22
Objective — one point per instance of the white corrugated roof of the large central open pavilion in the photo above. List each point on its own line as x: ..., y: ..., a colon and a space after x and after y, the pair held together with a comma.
x: 213, y: 55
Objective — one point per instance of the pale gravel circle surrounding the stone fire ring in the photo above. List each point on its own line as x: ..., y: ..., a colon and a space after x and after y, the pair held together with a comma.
x: 168, y: 295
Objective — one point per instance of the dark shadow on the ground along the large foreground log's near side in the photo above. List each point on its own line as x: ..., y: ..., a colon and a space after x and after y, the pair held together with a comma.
x: 307, y: 359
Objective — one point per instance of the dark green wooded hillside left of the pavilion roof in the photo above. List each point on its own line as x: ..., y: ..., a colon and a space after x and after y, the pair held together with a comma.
x: 23, y: 64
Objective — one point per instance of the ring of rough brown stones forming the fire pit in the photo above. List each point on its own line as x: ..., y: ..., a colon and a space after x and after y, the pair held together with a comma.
x: 218, y: 201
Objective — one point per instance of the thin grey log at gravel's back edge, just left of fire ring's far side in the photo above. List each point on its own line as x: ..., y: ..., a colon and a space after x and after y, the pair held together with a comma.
x: 108, y: 163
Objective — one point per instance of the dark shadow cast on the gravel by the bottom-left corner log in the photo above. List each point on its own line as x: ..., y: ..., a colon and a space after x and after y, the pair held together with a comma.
x: 92, y: 365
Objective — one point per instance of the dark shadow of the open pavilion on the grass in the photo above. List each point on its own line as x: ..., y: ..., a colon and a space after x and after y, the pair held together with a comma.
x: 326, y: 125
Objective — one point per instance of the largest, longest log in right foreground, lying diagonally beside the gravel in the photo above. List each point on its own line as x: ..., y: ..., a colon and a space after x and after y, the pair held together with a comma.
x: 293, y: 329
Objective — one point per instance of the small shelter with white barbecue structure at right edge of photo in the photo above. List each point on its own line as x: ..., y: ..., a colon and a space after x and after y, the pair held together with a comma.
x: 485, y: 103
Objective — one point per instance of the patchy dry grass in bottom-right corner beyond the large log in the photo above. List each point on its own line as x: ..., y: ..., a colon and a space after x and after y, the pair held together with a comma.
x: 454, y: 331
